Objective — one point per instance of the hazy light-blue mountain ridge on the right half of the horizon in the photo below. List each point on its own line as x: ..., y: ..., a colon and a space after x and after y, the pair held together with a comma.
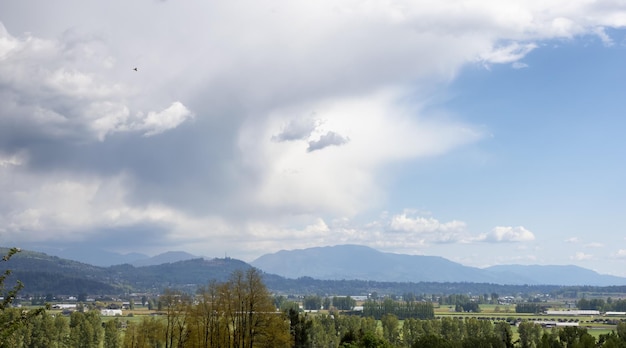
x: 363, y: 263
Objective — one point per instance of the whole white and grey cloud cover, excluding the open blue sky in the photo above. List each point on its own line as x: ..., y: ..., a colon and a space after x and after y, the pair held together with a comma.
x: 249, y: 123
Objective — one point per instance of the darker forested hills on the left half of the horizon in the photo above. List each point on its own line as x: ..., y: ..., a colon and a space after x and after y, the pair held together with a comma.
x: 42, y: 273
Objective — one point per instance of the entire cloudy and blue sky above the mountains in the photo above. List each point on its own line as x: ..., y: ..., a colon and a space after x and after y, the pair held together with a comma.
x: 484, y: 131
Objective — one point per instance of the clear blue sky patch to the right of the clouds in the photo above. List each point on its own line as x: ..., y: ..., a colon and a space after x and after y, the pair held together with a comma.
x: 552, y: 161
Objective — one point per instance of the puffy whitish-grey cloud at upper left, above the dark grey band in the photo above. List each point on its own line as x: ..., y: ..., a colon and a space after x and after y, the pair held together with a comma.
x: 61, y: 99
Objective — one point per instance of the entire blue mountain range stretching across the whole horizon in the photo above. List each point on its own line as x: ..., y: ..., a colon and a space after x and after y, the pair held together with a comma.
x: 342, y: 269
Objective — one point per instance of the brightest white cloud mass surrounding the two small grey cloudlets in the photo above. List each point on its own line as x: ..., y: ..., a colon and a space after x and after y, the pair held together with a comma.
x: 345, y: 180
